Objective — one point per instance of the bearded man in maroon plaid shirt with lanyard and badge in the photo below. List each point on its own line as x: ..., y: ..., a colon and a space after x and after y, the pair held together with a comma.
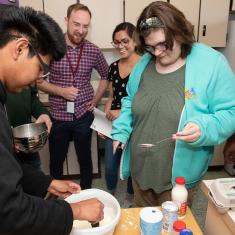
x: 72, y: 98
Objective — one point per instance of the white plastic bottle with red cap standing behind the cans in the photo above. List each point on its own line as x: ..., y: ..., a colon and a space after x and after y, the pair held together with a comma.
x: 179, y: 195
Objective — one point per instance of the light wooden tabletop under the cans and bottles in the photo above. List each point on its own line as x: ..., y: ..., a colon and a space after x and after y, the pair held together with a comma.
x: 129, y: 222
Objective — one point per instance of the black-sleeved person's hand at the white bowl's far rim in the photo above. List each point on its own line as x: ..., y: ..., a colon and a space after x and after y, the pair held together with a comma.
x: 63, y: 188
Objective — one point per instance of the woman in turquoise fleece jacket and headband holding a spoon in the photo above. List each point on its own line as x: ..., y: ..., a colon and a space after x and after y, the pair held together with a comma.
x: 181, y: 92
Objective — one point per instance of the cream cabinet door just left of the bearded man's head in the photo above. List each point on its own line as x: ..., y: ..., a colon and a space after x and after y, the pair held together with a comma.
x: 58, y: 10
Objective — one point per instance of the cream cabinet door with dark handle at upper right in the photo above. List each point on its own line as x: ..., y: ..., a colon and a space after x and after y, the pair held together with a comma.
x: 214, y: 22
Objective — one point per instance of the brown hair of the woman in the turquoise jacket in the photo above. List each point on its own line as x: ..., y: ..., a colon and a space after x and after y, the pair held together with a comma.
x: 175, y: 25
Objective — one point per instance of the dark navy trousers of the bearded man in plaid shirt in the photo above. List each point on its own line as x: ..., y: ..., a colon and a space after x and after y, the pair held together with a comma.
x: 62, y: 133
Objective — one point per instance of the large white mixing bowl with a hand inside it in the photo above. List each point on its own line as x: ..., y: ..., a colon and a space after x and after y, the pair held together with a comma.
x: 112, y: 213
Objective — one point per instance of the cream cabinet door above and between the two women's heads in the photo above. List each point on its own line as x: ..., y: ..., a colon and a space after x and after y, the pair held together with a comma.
x: 133, y: 9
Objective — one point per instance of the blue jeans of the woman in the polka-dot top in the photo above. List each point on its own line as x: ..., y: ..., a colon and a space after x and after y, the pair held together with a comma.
x: 112, y: 167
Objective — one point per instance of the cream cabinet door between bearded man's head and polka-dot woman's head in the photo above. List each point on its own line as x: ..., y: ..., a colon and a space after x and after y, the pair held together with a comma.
x: 106, y: 14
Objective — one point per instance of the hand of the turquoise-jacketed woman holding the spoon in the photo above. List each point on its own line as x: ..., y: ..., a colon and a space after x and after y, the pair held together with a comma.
x: 190, y: 133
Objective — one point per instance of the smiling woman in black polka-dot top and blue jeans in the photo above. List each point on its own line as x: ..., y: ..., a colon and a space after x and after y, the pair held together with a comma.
x: 124, y: 41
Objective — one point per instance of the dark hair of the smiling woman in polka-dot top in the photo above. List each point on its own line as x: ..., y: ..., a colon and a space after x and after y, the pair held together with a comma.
x: 130, y: 29
